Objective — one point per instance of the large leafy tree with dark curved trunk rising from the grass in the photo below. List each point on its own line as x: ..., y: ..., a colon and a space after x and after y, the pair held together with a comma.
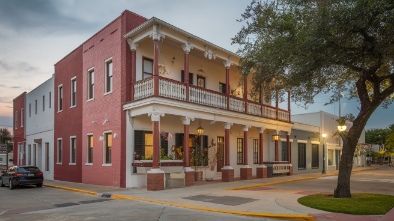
x: 321, y: 46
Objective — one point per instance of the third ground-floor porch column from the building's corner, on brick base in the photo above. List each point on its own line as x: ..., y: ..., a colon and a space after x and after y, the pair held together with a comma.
x: 227, y: 170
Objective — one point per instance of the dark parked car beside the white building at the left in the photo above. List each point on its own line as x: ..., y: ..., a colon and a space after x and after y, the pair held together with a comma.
x: 22, y: 175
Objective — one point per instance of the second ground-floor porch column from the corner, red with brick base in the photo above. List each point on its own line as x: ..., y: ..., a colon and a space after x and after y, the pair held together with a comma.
x: 189, y: 172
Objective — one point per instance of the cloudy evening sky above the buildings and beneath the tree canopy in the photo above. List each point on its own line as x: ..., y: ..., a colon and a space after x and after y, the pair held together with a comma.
x: 35, y: 34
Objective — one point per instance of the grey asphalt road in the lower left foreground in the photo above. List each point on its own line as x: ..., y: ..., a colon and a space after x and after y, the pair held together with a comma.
x: 31, y: 203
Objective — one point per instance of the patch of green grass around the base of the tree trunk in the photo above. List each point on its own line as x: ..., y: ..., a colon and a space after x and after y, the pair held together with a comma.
x: 361, y: 203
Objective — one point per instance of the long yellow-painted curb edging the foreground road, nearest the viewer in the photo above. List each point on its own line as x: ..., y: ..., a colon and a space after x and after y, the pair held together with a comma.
x: 207, y: 209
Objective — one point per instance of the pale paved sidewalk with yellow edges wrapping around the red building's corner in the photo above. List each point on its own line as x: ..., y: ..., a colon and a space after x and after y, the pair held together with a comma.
x: 256, y: 197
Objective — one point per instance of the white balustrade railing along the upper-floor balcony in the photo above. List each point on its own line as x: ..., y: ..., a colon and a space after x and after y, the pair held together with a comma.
x: 178, y: 90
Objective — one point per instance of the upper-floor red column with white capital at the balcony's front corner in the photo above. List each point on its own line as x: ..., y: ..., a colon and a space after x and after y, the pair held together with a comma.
x: 156, y: 36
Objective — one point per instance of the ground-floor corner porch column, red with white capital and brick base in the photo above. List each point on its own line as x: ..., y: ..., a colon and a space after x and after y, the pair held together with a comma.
x: 155, y: 176
